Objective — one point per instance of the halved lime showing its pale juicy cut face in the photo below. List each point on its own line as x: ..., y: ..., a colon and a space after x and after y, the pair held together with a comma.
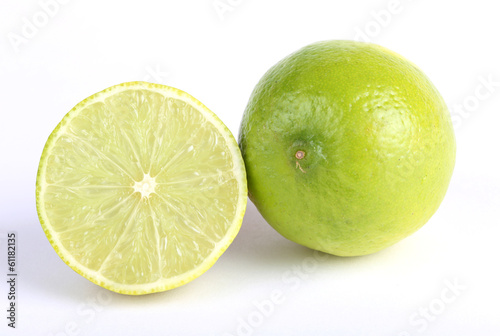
x: 141, y: 188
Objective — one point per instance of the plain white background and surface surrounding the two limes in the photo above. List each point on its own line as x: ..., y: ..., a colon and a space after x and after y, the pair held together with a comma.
x: 218, y: 56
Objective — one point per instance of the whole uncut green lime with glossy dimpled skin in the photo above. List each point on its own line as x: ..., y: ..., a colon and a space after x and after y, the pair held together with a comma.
x: 377, y: 143
